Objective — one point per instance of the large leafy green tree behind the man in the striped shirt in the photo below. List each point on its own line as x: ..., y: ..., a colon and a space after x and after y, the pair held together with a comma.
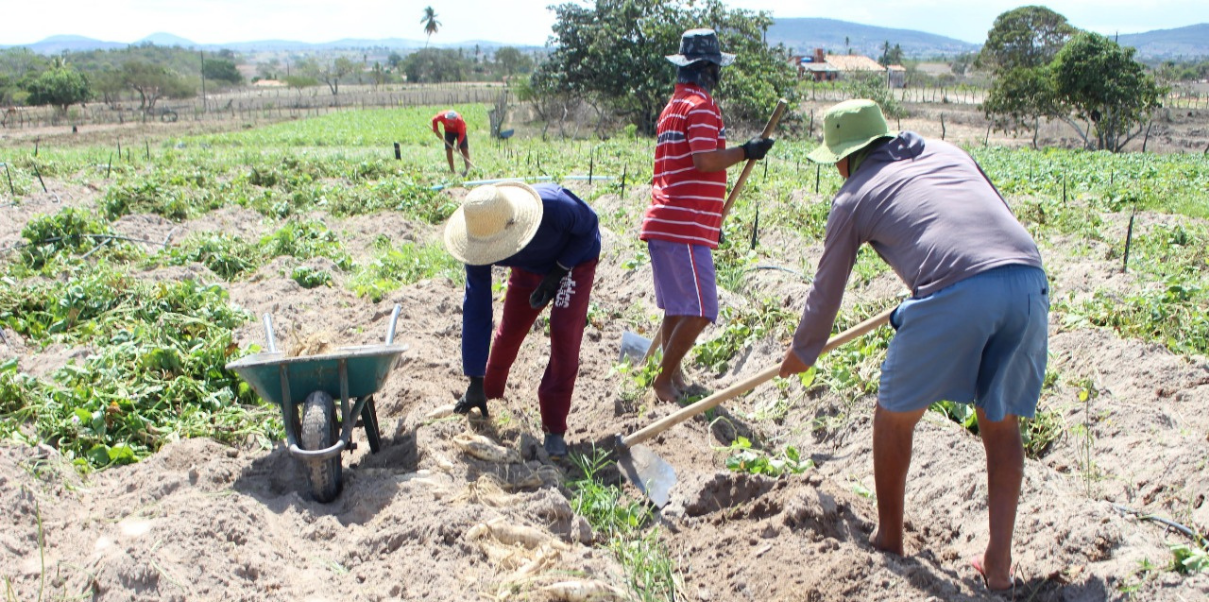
x: 612, y: 54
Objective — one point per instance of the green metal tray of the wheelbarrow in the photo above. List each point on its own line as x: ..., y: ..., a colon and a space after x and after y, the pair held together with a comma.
x: 368, y: 369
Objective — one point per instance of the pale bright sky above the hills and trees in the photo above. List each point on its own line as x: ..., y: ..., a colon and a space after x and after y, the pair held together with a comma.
x: 520, y: 22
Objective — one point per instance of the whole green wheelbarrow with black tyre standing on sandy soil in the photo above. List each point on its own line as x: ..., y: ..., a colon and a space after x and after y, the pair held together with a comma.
x: 319, y: 436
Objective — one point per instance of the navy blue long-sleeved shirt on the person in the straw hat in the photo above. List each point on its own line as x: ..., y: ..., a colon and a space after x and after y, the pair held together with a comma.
x: 569, y: 235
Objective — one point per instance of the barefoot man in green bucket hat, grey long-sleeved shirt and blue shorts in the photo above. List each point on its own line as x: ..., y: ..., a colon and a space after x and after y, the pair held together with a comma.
x: 975, y: 327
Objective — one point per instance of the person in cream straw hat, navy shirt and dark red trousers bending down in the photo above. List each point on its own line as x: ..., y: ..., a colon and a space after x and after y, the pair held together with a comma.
x: 551, y: 241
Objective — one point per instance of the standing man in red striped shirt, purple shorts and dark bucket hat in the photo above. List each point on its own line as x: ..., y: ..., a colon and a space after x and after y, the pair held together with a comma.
x: 682, y: 224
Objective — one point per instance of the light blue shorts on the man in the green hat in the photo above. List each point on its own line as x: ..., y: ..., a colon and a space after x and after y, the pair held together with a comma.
x: 982, y: 340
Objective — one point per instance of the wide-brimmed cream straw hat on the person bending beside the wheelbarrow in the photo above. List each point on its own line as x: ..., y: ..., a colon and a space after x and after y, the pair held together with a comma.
x: 494, y: 223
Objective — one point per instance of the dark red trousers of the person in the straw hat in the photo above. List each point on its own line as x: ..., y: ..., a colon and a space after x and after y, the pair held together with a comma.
x: 569, y: 316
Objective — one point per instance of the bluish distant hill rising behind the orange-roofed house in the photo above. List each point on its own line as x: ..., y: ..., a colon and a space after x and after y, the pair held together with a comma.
x: 807, y: 34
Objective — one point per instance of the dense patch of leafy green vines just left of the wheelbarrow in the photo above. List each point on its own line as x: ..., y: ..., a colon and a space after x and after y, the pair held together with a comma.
x: 158, y: 374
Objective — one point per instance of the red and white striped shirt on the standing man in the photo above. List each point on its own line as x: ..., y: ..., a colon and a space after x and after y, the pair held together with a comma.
x: 686, y: 205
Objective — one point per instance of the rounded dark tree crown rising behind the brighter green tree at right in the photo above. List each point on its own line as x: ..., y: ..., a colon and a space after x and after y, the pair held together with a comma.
x: 1028, y: 38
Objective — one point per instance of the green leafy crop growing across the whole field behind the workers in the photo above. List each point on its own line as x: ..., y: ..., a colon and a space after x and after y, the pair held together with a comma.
x: 159, y: 374
